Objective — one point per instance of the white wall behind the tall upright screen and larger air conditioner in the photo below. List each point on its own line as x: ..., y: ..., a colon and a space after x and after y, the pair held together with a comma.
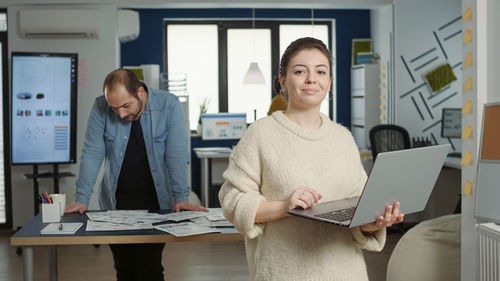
x: 100, y: 56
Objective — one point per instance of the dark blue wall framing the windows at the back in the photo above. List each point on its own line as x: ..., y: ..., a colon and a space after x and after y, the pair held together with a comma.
x: 148, y: 48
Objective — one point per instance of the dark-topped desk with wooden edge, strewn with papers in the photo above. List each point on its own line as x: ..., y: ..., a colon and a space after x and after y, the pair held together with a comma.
x: 29, y: 236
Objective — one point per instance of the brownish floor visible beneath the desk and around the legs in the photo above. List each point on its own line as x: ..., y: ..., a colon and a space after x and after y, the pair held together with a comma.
x: 202, y: 261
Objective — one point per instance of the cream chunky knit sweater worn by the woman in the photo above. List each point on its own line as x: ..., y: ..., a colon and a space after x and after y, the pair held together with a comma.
x: 274, y: 157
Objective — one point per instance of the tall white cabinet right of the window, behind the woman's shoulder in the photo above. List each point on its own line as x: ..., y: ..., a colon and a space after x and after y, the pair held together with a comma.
x: 365, y: 102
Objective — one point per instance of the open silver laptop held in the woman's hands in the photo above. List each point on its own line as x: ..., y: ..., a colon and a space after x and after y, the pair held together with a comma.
x: 407, y: 176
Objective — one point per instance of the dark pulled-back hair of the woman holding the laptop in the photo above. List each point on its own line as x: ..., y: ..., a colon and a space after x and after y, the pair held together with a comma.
x: 302, y: 44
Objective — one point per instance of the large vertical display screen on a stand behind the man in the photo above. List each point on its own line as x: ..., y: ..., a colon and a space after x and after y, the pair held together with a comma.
x: 43, y: 108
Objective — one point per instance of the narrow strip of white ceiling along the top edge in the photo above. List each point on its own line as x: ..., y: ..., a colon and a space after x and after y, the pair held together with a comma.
x: 317, y: 4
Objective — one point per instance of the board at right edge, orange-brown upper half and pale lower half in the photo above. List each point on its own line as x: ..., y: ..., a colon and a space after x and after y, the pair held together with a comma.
x: 488, y: 174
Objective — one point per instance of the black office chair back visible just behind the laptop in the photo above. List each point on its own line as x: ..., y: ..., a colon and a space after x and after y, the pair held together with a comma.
x: 388, y: 138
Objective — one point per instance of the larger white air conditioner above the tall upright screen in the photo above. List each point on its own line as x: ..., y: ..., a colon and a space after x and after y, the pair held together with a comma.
x: 58, y: 23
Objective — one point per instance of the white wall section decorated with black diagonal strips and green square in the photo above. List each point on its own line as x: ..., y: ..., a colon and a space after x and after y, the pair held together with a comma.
x: 426, y: 31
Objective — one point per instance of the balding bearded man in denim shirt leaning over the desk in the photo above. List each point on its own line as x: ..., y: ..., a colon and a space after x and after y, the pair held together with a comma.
x: 139, y: 133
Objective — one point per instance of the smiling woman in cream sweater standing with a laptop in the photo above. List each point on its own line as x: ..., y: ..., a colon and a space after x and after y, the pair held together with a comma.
x: 292, y: 159
